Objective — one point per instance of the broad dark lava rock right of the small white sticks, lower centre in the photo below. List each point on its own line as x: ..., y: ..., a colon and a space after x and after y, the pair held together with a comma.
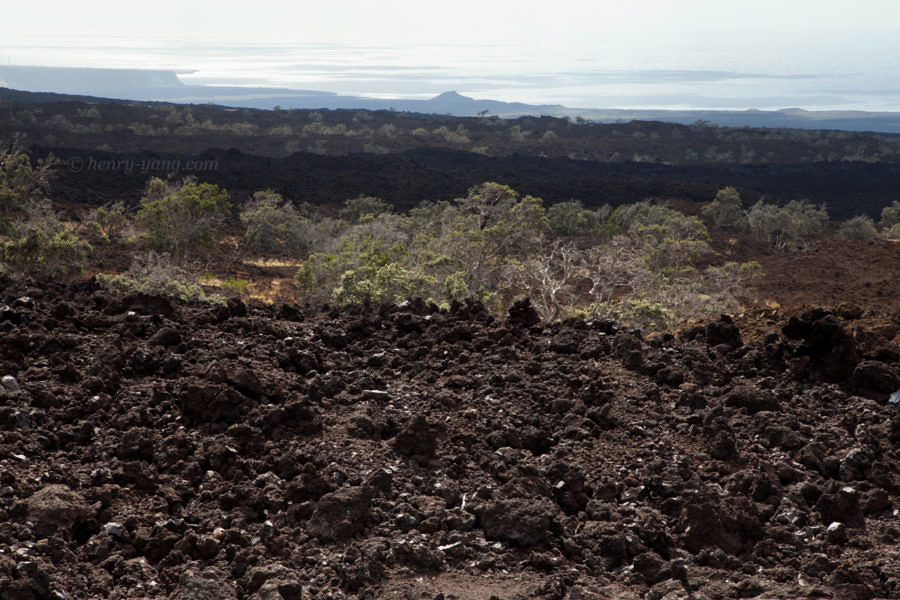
x: 523, y: 521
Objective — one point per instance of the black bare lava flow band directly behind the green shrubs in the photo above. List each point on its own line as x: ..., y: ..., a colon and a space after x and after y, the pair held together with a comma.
x: 405, y: 179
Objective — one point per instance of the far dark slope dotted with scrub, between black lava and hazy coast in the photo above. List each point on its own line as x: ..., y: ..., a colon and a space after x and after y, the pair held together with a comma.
x: 124, y: 127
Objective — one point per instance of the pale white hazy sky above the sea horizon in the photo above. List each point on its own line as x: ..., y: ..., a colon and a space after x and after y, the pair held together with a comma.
x: 655, y: 22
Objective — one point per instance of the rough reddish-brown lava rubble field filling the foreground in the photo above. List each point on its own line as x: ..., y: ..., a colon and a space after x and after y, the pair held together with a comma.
x: 152, y: 449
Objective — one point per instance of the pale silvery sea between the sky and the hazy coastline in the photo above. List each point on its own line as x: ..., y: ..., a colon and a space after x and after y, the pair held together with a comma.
x: 585, y: 75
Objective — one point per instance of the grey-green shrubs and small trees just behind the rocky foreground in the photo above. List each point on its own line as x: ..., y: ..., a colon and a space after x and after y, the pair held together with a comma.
x: 645, y: 263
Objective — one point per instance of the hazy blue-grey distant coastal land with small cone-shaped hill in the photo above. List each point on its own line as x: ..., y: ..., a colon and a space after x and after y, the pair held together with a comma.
x: 165, y: 86
